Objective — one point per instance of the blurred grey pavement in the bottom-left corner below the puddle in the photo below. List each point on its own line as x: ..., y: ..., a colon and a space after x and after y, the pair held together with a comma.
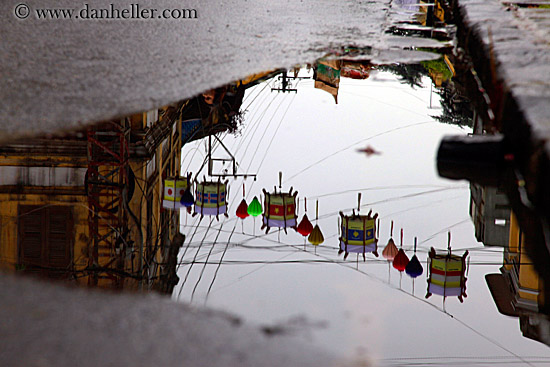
x: 96, y: 328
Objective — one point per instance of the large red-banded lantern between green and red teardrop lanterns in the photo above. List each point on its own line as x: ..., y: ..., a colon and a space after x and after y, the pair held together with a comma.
x: 280, y: 209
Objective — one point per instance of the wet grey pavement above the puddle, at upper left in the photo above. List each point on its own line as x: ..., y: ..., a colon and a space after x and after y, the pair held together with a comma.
x: 61, y: 74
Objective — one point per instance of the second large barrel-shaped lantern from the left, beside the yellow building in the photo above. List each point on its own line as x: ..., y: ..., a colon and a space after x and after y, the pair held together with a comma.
x: 210, y: 198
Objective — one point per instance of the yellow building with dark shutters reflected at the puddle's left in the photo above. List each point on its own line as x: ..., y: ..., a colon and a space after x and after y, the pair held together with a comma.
x: 86, y: 207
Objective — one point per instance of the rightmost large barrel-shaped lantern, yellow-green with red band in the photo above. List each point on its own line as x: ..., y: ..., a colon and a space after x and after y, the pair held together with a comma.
x: 447, y: 274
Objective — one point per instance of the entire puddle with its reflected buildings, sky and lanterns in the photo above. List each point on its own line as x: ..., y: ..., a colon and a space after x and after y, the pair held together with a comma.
x: 364, y: 201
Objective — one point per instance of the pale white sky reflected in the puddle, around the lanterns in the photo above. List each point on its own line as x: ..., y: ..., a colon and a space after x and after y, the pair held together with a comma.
x: 360, y: 309
